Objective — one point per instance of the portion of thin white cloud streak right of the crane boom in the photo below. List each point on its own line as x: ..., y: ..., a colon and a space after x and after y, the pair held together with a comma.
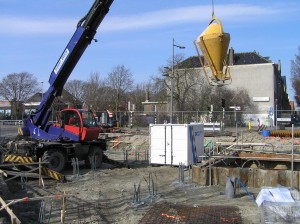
x: 184, y: 15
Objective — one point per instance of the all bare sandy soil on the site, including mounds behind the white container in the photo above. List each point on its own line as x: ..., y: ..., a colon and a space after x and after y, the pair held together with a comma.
x: 126, y: 195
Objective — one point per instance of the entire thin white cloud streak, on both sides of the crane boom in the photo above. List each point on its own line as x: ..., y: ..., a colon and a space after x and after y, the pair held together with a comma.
x: 160, y: 18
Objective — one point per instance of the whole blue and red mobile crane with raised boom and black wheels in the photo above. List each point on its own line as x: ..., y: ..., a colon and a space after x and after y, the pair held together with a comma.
x: 58, y: 143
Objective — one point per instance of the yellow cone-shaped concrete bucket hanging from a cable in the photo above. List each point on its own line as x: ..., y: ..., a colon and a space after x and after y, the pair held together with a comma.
x: 214, y: 43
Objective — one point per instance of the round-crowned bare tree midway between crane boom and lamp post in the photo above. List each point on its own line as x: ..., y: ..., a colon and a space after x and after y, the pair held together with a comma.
x: 120, y: 80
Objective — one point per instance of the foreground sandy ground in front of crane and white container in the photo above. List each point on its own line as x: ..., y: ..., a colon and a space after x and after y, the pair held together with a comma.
x: 107, y: 196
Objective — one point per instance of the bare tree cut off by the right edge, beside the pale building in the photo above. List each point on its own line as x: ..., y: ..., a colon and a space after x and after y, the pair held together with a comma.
x: 295, y: 76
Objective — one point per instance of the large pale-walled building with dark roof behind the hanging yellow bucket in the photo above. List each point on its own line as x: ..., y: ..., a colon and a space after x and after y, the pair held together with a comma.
x: 258, y: 75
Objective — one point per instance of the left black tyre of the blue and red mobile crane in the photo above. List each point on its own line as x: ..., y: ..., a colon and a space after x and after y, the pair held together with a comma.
x: 55, y: 160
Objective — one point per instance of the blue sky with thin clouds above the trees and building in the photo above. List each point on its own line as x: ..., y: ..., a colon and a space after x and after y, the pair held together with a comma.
x: 138, y: 33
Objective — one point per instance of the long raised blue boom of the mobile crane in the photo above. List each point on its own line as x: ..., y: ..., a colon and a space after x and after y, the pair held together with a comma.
x: 84, y: 34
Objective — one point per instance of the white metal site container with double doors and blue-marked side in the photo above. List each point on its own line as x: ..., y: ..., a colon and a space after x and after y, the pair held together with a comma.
x: 172, y: 144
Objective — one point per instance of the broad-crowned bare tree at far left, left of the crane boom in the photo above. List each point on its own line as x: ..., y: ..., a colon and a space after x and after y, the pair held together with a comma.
x: 17, y: 88
